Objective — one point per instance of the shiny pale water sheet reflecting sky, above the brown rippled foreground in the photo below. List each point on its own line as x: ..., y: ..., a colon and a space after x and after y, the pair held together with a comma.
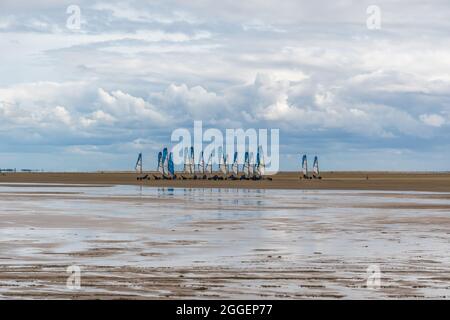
x: 216, y: 225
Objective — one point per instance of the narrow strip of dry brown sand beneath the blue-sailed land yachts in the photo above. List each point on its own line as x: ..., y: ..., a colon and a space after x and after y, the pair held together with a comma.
x: 437, y: 182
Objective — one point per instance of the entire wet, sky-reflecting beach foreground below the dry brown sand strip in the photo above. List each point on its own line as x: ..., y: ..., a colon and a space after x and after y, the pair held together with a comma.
x: 139, y: 242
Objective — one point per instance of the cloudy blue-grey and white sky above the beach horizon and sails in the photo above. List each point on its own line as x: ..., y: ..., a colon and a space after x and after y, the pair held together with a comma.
x: 91, y: 99
